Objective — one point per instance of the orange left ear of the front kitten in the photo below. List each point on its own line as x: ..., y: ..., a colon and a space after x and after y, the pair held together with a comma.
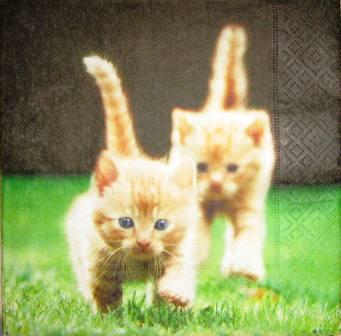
x: 106, y: 171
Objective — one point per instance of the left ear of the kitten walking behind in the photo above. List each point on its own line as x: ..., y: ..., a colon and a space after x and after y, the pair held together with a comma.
x: 182, y: 126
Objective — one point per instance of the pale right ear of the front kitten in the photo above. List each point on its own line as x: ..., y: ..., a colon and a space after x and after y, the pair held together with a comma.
x: 184, y: 174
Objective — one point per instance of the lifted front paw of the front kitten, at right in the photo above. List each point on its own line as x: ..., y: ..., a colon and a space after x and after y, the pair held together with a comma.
x: 176, y: 294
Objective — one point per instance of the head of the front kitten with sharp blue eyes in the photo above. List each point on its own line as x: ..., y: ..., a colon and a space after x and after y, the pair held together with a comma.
x: 144, y: 207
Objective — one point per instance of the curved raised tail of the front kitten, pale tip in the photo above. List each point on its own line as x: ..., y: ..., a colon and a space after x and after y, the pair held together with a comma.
x: 120, y: 137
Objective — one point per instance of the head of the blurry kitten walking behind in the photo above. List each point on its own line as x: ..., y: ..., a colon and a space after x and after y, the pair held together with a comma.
x: 226, y: 146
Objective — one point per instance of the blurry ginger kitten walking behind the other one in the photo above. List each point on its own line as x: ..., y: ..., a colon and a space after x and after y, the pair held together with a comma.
x: 234, y: 151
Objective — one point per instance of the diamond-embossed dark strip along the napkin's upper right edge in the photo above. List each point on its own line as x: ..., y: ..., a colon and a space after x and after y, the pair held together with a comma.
x: 308, y: 91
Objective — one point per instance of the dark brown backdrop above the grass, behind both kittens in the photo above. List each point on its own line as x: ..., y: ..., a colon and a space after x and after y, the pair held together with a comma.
x: 52, y: 117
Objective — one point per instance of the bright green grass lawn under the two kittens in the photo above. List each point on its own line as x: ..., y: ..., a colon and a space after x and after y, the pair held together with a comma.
x: 301, y: 289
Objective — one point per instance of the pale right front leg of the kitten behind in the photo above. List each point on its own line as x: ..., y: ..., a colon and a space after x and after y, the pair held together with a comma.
x: 247, y: 246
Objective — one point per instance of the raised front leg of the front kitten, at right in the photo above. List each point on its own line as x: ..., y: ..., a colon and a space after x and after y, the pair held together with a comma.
x: 177, y: 285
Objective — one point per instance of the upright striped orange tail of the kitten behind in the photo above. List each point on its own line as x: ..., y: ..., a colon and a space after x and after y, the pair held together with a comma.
x: 228, y: 84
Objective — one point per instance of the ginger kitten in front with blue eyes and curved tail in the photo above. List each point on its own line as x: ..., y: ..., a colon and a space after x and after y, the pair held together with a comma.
x: 137, y: 221
